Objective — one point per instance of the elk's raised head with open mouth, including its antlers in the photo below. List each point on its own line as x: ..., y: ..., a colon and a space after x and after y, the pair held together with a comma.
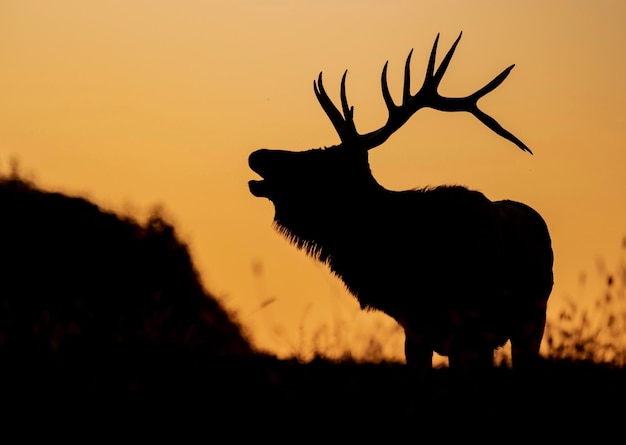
x: 308, y: 188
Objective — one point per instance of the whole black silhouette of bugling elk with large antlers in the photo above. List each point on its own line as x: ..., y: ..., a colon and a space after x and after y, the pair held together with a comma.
x: 460, y: 273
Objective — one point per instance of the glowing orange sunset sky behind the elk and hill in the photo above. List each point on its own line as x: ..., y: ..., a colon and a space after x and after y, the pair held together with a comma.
x: 135, y: 104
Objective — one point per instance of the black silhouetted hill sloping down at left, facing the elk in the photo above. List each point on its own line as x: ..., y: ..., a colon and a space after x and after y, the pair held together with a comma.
x: 74, y: 277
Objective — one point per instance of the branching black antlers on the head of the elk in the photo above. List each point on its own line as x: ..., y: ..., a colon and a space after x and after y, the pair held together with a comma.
x: 427, y: 96
